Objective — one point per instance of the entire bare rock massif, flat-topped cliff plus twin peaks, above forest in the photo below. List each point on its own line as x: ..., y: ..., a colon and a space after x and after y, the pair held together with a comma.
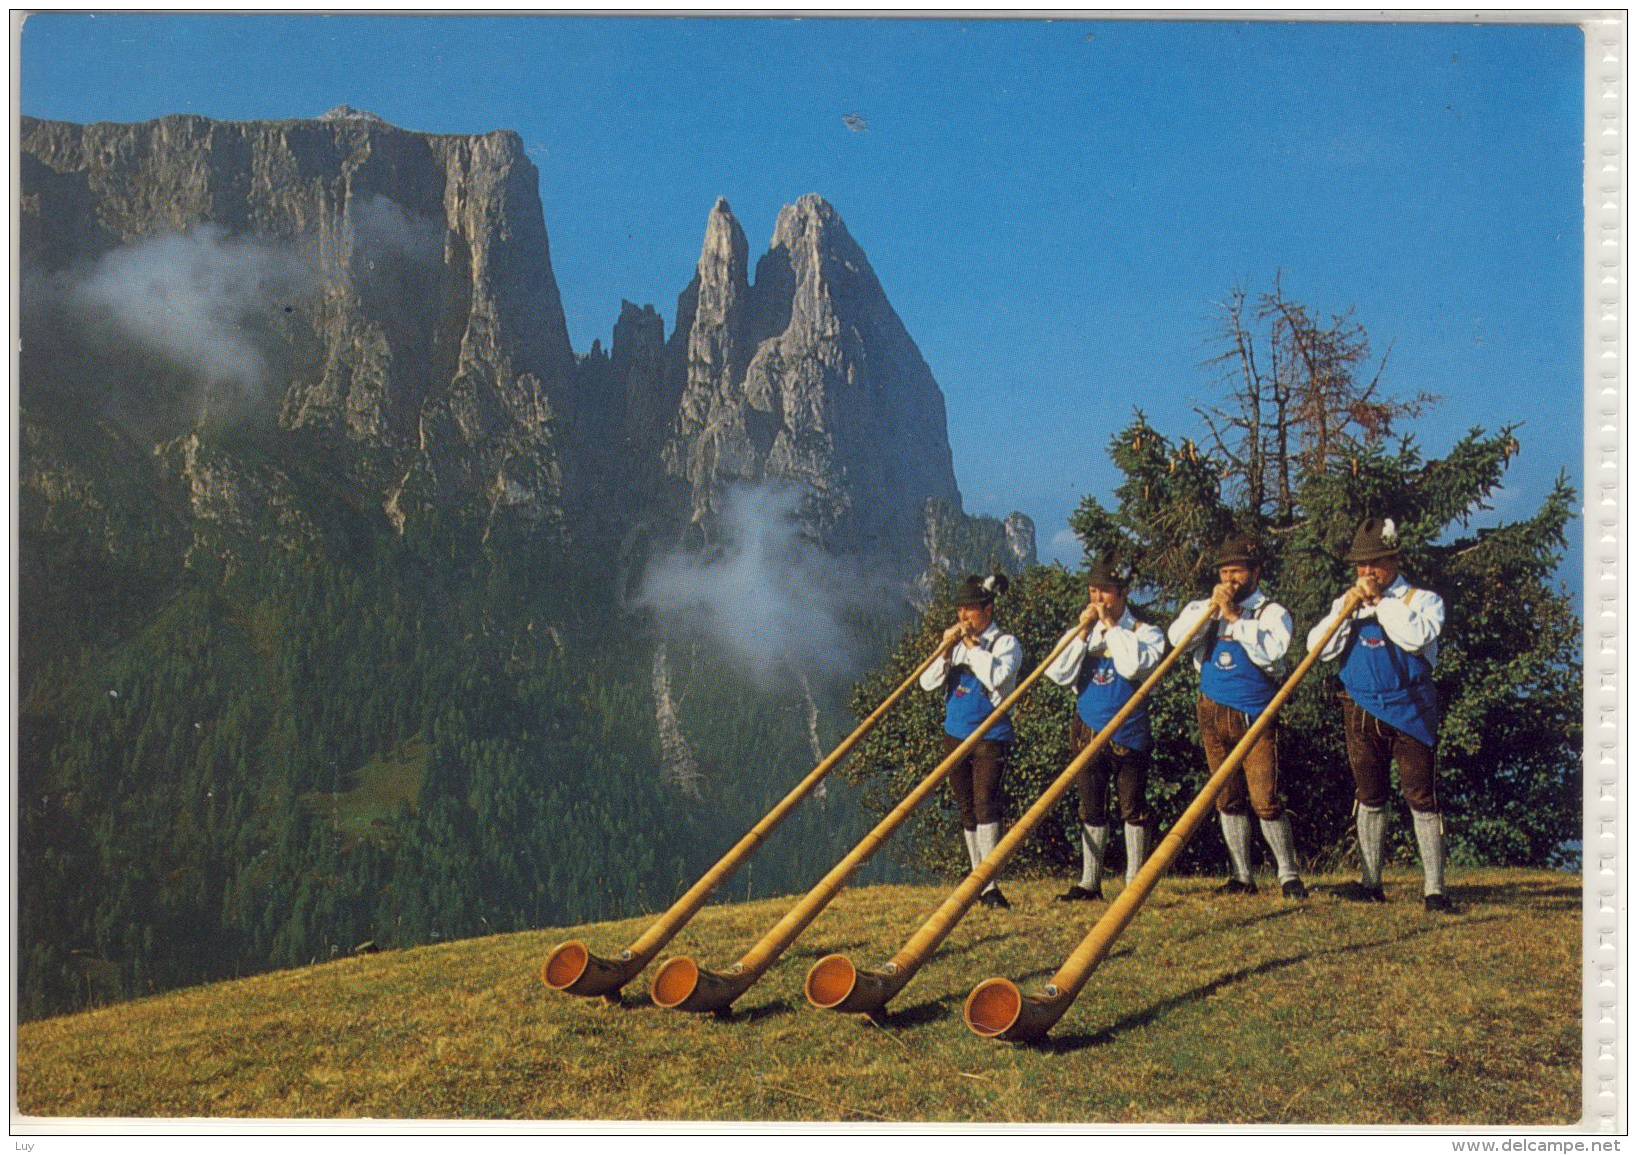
x: 381, y: 307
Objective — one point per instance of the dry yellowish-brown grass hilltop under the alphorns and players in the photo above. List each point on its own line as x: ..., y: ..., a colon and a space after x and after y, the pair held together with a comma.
x: 1212, y: 1010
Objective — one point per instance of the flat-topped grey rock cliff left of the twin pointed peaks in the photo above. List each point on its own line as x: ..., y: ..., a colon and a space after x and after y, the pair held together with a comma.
x: 428, y: 335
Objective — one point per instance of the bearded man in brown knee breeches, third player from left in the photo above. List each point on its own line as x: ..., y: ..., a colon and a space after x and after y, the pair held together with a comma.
x: 1240, y: 658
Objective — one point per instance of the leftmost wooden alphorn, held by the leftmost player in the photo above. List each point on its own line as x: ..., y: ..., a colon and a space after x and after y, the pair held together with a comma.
x: 575, y: 971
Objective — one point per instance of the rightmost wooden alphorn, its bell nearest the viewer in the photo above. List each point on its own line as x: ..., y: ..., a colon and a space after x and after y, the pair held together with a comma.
x: 998, y: 1009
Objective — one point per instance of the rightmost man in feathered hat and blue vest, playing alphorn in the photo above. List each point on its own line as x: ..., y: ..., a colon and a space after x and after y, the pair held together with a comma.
x: 1387, y: 654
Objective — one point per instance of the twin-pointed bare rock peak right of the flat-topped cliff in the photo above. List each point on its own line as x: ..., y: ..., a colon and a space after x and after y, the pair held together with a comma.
x: 809, y: 377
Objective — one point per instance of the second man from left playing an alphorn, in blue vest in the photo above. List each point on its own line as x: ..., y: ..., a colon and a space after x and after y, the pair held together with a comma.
x: 1106, y: 668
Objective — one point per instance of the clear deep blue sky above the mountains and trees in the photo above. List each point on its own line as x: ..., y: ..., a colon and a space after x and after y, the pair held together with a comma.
x: 1053, y: 207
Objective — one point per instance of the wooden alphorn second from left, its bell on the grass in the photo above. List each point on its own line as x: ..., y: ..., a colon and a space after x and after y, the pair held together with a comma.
x: 682, y: 984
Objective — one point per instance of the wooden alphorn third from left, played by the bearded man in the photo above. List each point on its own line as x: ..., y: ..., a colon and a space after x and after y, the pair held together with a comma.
x: 836, y: 984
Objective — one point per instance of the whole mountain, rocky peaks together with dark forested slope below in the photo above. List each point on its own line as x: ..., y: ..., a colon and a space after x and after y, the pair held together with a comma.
x: 338, y: 608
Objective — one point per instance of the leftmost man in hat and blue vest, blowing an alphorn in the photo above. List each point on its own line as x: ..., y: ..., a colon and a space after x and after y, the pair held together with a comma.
x: 978, y: 676
